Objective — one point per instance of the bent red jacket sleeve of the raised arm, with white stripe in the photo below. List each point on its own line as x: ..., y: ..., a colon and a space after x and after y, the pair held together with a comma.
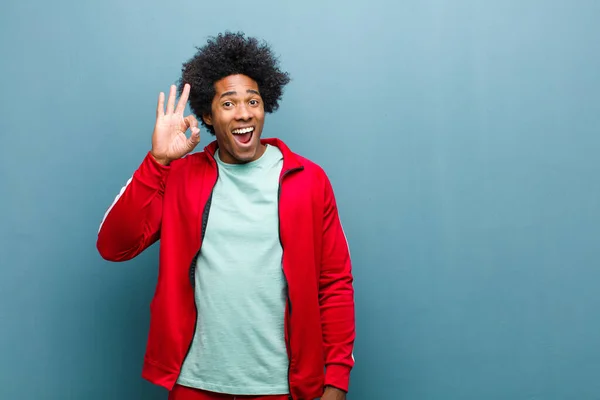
x: 132, y: 222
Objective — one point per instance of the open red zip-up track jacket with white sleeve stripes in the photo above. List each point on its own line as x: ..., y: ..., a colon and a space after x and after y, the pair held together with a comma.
x: 171, y: 203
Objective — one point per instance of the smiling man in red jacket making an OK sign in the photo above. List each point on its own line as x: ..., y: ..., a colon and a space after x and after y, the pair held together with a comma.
x: 254, y: 298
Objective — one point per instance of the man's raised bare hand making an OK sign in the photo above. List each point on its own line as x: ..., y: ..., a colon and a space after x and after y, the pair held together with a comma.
x: 169, y: 141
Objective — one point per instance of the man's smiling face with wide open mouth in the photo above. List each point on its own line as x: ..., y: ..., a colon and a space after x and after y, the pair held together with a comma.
x: 237, y: 116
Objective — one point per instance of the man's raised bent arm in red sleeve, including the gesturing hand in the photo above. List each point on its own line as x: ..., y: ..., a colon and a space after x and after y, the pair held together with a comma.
x: 133, y: 221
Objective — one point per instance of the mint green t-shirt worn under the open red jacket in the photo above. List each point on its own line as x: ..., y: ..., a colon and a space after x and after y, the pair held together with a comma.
x: 239, y: 345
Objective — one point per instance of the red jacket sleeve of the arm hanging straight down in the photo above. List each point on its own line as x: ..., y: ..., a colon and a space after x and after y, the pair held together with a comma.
x: 336, y: 297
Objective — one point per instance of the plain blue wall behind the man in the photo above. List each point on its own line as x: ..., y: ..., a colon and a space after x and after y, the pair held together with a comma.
x: 462, y: 139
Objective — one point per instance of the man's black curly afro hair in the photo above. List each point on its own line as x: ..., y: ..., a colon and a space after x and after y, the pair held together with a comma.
x: 231, y: 54
